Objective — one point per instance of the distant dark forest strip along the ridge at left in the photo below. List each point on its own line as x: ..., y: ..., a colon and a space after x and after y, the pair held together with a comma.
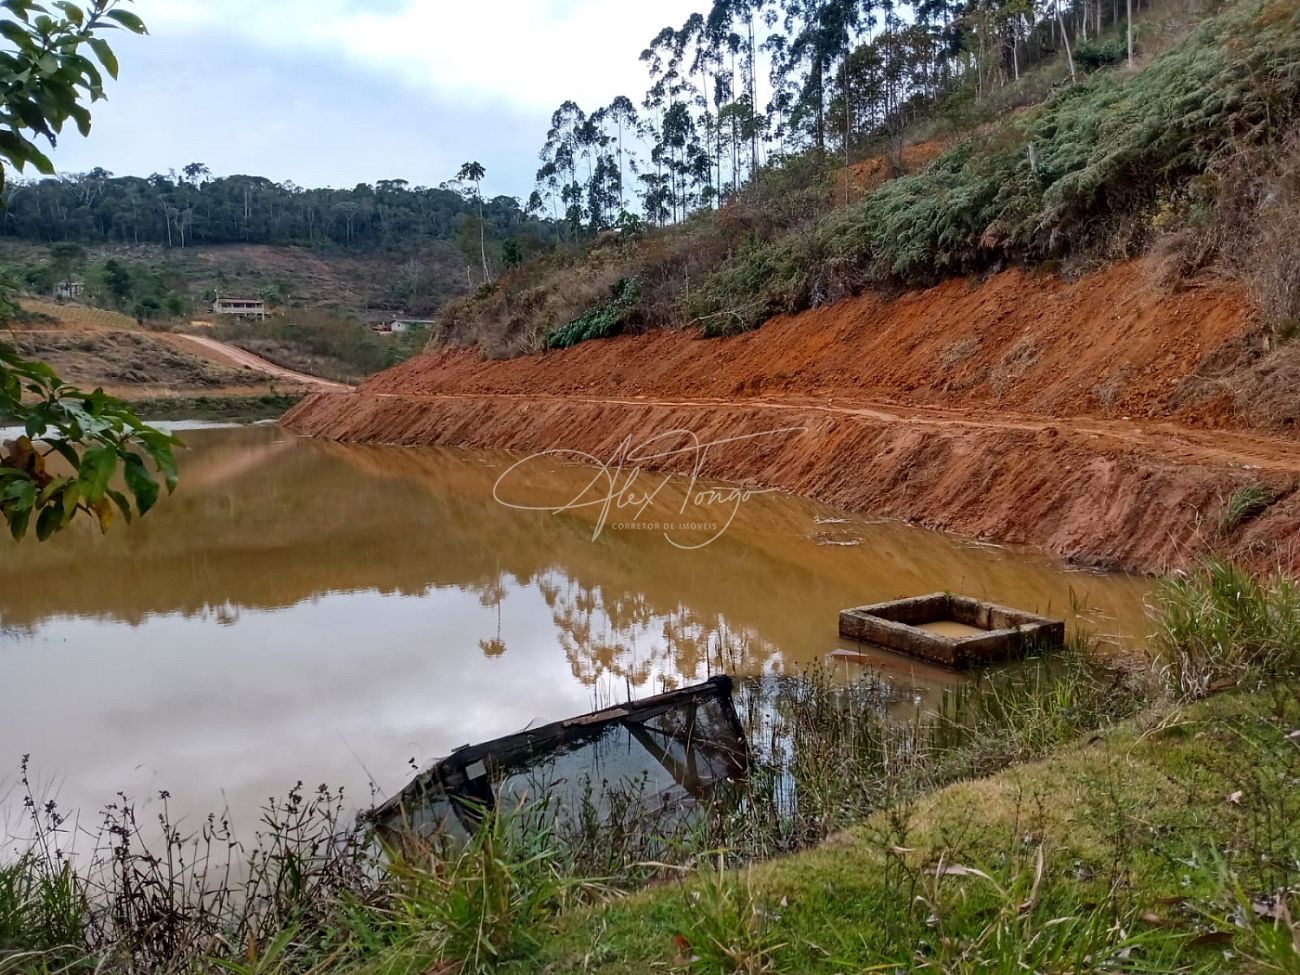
x: 194, y: 209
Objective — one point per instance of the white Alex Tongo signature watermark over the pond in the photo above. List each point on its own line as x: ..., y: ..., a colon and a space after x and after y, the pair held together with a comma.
x: 626, y: 497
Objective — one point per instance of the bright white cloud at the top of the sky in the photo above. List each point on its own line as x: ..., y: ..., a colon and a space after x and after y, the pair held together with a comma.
x: 532, y: 54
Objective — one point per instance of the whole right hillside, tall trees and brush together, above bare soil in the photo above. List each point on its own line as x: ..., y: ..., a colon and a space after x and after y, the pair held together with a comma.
x: 987, y: 135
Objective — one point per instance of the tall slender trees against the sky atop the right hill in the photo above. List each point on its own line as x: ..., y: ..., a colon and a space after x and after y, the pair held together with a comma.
x: 749, y: 83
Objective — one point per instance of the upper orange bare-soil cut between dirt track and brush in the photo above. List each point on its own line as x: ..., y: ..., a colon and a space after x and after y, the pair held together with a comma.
x: 1111, y: 344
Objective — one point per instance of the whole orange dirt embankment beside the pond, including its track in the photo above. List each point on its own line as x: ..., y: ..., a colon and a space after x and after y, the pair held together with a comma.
x: 1071, y: 417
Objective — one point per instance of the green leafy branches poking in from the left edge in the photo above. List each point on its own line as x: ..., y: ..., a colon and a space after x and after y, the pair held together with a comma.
x: 71, y: 445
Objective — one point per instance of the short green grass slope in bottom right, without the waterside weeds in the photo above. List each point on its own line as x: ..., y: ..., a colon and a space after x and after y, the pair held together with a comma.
x: 1156, y: 847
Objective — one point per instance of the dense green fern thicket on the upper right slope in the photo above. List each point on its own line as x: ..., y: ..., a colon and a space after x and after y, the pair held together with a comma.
x: 1084, y: 175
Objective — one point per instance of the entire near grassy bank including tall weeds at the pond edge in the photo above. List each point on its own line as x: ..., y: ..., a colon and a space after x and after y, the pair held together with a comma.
x: 1065, y: 817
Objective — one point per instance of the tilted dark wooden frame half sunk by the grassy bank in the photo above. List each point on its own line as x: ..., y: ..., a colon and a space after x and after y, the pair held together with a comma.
x: 678, y: 747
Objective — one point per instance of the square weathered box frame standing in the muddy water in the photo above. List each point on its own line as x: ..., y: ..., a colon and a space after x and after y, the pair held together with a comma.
x: 1000, y: 634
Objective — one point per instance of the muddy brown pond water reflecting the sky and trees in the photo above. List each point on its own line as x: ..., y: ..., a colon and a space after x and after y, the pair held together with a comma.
x: 305, y: 610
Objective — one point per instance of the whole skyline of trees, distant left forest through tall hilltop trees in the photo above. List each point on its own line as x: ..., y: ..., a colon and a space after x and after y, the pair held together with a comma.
x: 736, y: 89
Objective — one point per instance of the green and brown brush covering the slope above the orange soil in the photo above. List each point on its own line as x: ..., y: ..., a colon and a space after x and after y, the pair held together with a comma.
x: 1197, y: 153
